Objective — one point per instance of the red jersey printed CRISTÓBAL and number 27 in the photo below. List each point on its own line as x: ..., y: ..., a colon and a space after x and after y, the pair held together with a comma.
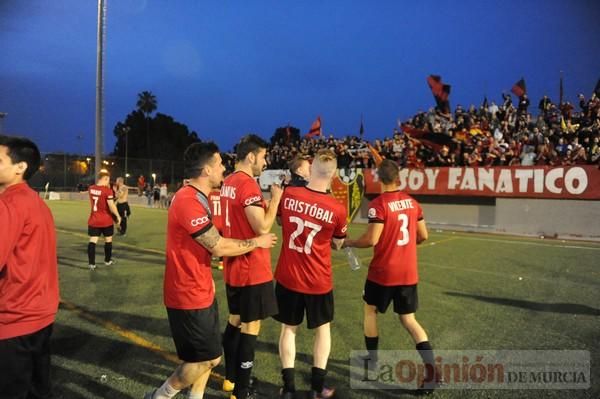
x: 309, y: 219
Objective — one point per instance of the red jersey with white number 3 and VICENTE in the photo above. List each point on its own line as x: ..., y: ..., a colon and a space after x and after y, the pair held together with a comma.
x: 395, y: 255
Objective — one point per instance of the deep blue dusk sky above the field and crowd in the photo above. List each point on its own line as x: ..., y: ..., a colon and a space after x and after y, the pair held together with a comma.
x: 226, y: 68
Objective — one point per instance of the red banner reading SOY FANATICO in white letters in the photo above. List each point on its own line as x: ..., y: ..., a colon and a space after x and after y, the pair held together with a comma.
x: 564, y: 182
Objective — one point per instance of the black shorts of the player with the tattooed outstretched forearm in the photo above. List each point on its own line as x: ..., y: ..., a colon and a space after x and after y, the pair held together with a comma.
x: 196, y: 333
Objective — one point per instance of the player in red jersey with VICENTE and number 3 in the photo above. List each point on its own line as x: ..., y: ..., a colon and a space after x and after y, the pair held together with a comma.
x: 396, y: 226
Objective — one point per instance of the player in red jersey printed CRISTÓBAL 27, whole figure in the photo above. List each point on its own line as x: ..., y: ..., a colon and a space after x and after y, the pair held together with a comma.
x: 312, y: 223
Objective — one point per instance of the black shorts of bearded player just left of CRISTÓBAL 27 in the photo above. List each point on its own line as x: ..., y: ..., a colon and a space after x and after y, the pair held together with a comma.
x: 253, y: 302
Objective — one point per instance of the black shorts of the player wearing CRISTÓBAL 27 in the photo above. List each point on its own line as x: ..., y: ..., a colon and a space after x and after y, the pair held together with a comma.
x: 293, y: 304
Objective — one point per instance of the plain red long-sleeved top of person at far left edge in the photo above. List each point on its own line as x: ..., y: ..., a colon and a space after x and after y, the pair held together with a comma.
x: 28, y: 264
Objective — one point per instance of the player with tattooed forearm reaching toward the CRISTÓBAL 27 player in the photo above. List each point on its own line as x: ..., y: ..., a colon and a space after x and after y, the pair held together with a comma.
x: 189, y: 289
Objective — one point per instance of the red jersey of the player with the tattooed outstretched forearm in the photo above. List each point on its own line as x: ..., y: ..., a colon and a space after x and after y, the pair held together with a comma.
x: 188, y: 282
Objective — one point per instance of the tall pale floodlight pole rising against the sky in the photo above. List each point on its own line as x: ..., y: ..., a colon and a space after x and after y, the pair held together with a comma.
x: 100, y: 86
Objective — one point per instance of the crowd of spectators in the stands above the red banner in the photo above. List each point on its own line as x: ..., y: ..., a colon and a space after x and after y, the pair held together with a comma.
x: 490, y: 135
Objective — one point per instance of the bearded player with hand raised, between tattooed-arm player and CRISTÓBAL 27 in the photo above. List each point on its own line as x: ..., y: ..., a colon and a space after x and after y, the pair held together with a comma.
x: 248, y: 278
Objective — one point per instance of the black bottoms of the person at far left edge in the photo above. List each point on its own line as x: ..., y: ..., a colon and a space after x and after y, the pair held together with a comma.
x: 25, y: 365
